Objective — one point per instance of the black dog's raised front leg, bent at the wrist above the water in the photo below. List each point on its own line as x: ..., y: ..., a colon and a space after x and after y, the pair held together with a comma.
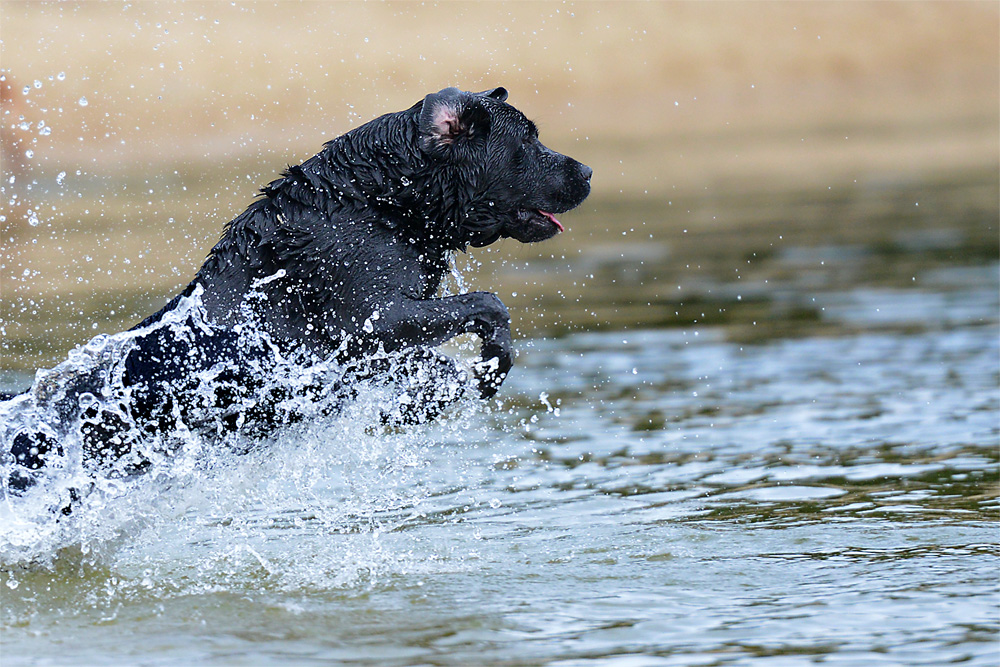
x: 433, y: 321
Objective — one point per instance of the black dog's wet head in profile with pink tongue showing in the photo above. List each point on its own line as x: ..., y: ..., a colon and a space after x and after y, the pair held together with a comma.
x: 515, y: 185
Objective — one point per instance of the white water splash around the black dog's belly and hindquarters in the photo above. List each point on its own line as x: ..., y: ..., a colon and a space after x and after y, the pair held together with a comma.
x: 341, y: 459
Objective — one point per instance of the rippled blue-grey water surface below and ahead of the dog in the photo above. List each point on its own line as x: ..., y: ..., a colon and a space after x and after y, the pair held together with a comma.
x: 802, y: 467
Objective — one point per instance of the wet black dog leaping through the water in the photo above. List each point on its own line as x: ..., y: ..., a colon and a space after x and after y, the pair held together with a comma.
x: 340, y: 258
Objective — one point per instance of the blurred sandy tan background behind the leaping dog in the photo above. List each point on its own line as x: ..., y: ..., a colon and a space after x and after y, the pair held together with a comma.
x: 134, y: 131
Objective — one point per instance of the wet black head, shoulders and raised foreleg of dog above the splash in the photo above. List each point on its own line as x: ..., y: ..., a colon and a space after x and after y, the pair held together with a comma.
x: 366, y: 227
